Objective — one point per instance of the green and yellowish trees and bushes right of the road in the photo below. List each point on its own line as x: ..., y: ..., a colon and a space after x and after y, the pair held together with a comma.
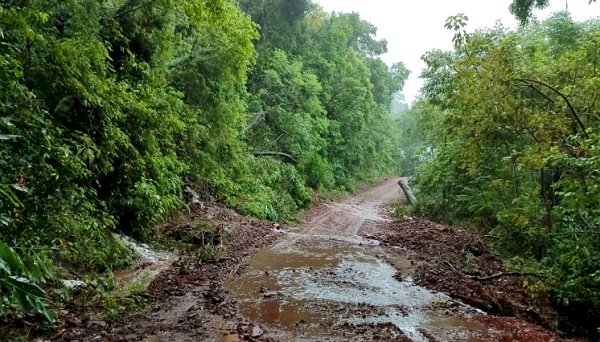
x: 512, y: 145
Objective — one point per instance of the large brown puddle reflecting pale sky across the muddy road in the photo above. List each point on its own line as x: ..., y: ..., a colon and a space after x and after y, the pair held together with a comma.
x: 309, y: 291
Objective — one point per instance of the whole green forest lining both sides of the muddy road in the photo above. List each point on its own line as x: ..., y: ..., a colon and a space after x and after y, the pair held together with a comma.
x: 111, y: 109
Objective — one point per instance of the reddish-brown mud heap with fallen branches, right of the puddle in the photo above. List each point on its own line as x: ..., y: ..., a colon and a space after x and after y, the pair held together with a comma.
x: 456, y: 262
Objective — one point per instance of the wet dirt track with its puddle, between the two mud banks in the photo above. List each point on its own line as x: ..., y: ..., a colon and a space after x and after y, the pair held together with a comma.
x: 324, y: 277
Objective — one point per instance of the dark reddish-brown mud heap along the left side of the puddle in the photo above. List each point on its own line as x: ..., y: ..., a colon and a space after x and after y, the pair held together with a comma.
x: 187, y: 302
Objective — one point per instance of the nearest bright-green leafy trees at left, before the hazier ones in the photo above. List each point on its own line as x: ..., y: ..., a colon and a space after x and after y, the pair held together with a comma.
x: 97, y: 124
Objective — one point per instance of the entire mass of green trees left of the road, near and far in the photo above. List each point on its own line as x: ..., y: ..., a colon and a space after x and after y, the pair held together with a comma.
x: 108, y: 108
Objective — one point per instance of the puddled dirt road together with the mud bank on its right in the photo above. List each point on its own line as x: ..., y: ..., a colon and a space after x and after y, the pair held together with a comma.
x: 350, y: 273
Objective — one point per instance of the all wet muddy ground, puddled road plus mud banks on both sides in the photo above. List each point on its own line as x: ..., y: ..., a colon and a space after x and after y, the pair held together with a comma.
x: 349, y: 273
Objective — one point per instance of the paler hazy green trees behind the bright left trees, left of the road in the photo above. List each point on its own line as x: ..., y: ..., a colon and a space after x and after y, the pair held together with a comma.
x: 320, y: 93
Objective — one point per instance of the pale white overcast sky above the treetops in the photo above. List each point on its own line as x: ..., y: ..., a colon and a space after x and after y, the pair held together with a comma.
x: 417, y: 26
